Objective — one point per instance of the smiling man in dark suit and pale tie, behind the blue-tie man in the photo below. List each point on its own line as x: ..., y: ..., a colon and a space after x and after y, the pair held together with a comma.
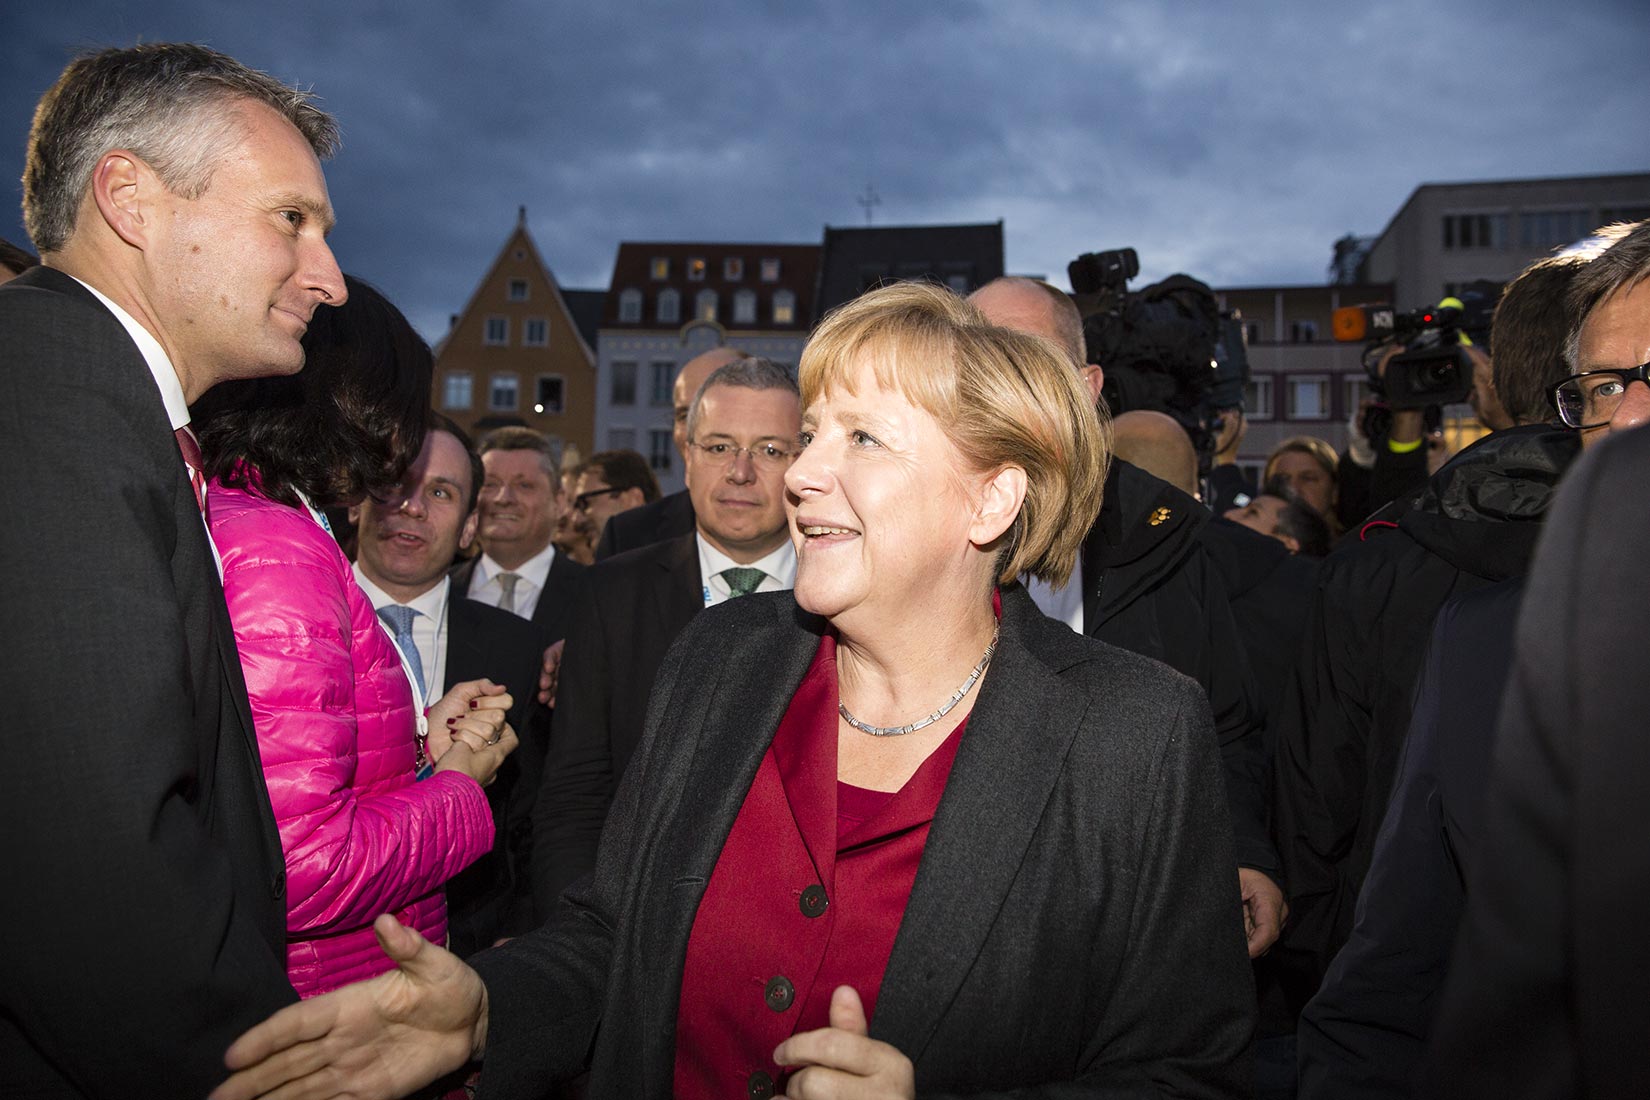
x: 519, y: 568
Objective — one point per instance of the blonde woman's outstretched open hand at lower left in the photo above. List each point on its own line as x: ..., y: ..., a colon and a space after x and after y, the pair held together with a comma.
x: 380, y: 1038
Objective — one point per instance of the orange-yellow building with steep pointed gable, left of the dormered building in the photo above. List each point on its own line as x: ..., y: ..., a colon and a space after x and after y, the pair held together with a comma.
x: 516, y: 354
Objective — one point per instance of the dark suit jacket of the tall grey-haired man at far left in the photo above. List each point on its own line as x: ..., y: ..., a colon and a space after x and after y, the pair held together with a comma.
x: 143, y: 891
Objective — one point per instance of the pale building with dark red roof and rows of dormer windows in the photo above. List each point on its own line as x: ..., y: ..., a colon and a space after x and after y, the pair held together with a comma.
x: 672, y: 301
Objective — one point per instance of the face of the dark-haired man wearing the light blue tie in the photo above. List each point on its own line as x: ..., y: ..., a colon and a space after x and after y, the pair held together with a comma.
x: 408, y: 543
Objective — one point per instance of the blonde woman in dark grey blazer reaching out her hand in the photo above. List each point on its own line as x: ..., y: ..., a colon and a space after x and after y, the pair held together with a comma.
x: 895, y: 832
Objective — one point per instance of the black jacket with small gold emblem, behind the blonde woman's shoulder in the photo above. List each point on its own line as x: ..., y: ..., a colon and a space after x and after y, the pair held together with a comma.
x: 1151, y: 588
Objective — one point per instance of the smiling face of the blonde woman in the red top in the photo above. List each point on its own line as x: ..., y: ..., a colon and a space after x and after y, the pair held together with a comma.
x: 884, y: 510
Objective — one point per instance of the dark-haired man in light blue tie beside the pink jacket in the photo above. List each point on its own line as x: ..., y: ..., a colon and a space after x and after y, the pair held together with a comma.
x: 405, y: 553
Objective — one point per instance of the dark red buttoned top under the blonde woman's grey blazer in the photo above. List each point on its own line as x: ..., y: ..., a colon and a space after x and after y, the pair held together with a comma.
x: 808, y: 896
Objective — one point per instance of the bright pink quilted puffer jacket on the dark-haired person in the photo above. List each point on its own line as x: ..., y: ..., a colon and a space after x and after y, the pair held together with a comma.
x: 336, y: 728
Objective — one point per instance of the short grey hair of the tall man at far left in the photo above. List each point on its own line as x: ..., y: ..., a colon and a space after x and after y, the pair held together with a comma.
x: 169, y: 103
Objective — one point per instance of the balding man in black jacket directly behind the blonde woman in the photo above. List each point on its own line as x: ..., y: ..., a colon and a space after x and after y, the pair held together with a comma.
x: 1144, y: 583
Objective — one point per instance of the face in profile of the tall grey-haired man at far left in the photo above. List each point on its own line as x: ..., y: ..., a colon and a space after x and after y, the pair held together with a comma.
x: 237, y: 273
